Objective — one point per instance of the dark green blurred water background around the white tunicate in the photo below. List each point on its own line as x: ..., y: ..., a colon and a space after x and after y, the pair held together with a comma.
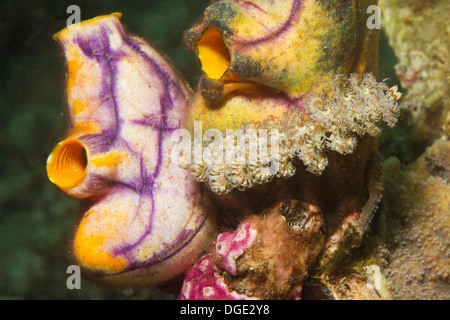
x: 37, y: 220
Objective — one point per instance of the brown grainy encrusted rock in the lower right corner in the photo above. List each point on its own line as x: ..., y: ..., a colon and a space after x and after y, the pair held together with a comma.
x: 417, y: 225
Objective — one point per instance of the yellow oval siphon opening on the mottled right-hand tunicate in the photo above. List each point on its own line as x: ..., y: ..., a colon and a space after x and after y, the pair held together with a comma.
x: 213, y: 54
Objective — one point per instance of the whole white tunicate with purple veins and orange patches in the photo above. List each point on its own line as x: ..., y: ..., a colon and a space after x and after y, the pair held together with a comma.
x: 150, y: 219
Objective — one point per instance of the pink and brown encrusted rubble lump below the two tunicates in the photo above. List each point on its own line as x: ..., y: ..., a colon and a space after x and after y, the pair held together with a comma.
x: 261, y: 259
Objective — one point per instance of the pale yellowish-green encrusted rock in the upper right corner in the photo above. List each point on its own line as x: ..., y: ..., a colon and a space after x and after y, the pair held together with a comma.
x: 420, y: 39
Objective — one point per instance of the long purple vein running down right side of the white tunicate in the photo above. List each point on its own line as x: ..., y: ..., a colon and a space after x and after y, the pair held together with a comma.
x: 165, y: 103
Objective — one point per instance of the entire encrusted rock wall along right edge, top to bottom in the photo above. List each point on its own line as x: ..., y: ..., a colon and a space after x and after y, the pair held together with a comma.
x: 414, y: 222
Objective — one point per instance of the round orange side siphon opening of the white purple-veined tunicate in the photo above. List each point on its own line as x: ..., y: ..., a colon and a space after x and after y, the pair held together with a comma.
x: 66, y: 165
